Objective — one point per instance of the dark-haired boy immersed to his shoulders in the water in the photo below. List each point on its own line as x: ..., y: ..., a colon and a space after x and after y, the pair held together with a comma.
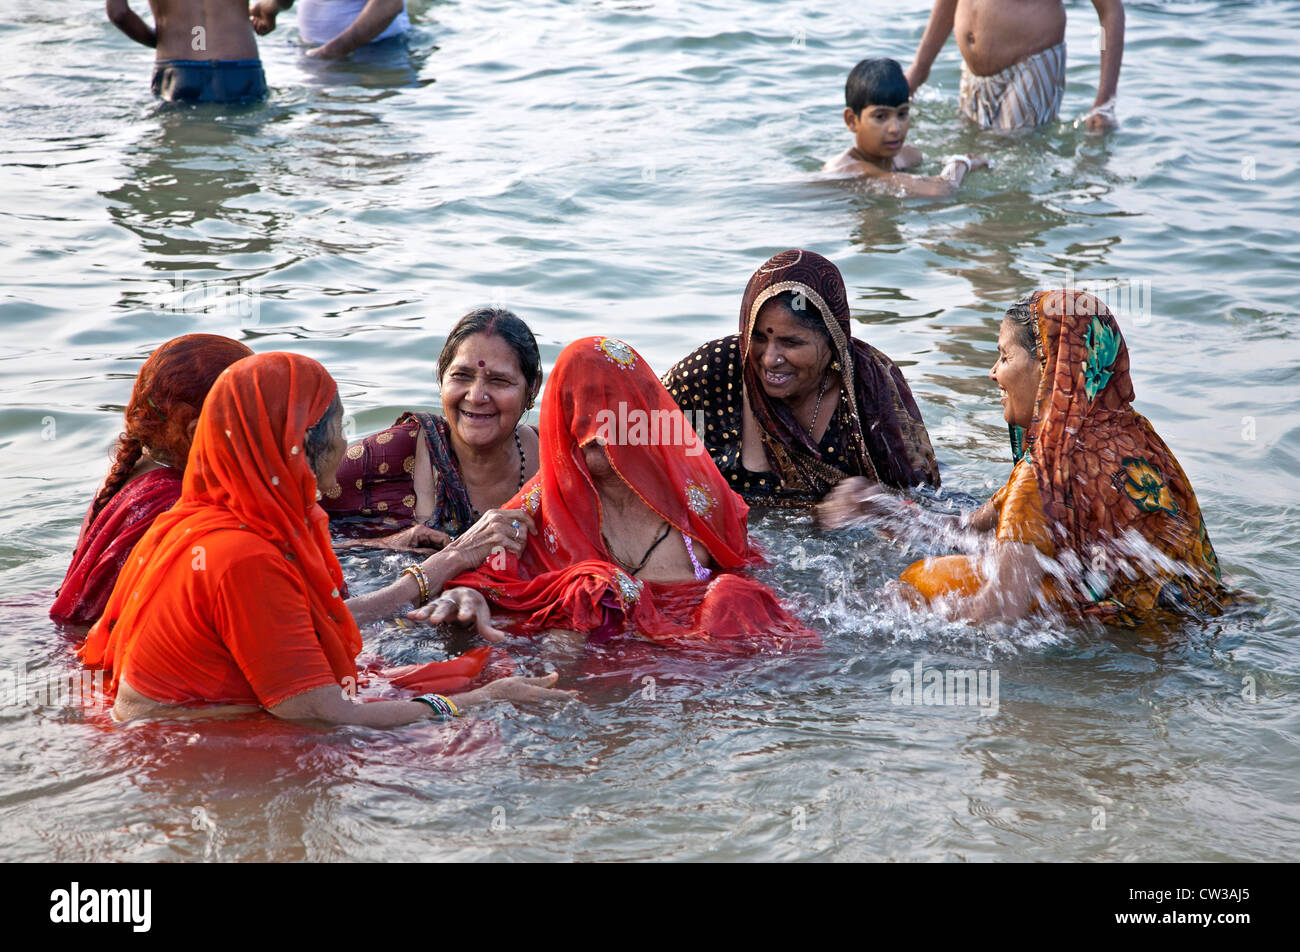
x: 878, y: 111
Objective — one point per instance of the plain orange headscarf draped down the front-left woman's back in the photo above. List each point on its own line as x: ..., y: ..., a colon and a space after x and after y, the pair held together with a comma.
x: 248, y: 470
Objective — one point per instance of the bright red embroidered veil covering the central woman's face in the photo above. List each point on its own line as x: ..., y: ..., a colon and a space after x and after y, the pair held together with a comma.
x: 566, y: 578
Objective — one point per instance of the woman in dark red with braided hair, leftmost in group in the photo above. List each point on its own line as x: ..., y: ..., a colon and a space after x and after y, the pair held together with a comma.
x: 145, y: 481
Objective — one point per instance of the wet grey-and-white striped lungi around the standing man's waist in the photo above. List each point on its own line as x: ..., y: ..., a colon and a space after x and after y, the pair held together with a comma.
x: 1025, y: 94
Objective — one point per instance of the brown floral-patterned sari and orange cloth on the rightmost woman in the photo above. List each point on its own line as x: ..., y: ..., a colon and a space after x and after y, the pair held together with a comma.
x: 1094, y: 487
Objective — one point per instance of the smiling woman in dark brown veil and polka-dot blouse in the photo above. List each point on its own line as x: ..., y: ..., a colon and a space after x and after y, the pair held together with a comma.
x: 795, y: 404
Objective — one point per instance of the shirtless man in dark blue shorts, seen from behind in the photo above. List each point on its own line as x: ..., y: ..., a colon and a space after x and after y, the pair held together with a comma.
x: 207, y: 51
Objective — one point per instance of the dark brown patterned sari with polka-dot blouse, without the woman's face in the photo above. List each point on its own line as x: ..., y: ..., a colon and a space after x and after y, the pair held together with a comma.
x: 877, y: 431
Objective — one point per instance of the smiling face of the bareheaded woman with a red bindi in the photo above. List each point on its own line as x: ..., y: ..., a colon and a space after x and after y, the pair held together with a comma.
x: 484, y: 392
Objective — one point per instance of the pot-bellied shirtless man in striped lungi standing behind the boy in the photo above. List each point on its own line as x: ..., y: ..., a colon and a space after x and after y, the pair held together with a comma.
x: 1013, y: 59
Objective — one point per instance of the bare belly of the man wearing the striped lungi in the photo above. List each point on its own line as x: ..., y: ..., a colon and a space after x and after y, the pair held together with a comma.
x: 995, y: 34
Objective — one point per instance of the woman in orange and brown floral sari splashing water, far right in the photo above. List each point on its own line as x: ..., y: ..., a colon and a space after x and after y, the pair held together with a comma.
x: 1098, y: 516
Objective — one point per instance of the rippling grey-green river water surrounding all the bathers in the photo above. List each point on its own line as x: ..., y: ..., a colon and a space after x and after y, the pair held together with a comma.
x: 623, y: 168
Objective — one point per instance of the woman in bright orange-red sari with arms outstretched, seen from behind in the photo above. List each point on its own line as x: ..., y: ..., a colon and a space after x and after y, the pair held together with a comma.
x: 235, y: 599
